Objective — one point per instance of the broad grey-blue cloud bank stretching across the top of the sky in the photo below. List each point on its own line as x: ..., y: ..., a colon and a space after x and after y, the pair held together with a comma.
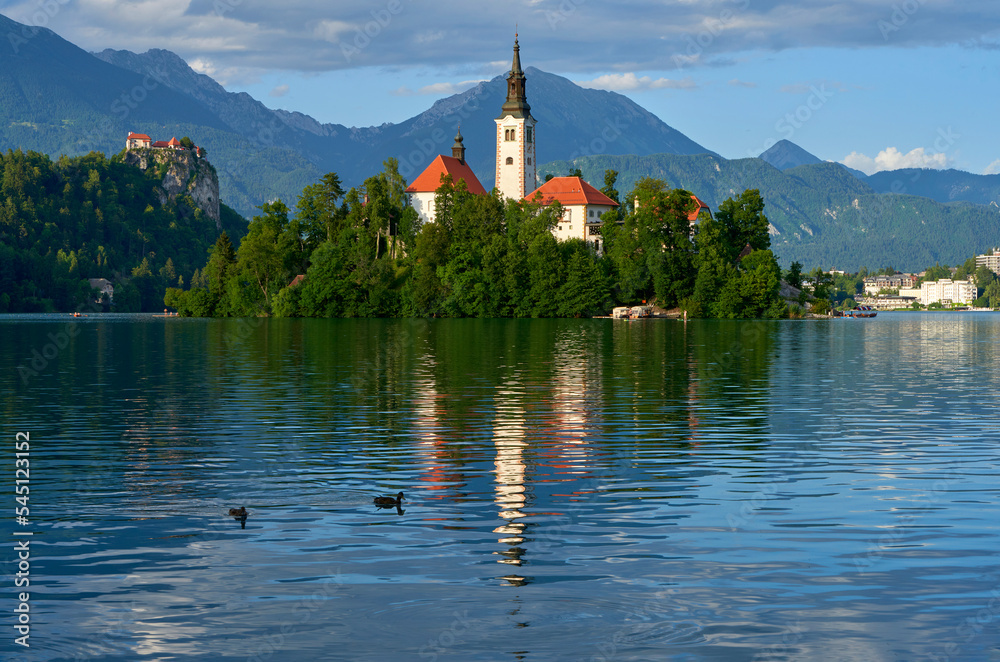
x: 309, y: 35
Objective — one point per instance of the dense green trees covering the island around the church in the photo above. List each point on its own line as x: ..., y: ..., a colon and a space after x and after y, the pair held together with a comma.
x: 365, y: 253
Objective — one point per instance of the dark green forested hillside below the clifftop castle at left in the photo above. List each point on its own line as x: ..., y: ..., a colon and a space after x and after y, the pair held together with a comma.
x: 63, y: 222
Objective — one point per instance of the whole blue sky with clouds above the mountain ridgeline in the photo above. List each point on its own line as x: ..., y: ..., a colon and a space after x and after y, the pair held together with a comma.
x: 874, y: 84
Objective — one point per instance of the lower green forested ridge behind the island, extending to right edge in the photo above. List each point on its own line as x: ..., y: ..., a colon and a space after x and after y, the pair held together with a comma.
x: 823, y: 215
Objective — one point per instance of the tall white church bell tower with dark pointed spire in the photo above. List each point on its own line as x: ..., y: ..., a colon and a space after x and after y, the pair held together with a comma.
x: 515, y: 137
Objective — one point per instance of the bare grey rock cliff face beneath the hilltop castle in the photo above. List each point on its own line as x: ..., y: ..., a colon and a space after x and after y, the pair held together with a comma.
x: 183, y: 174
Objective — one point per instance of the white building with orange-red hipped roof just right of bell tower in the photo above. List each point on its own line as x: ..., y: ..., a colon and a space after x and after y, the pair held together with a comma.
x: 582, y: 206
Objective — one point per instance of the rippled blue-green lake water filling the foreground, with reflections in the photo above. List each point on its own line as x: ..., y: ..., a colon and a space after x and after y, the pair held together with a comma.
x: 574, y: 490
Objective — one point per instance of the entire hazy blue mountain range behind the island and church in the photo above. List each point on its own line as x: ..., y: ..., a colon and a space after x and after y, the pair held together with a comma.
x: 59, y: 99
